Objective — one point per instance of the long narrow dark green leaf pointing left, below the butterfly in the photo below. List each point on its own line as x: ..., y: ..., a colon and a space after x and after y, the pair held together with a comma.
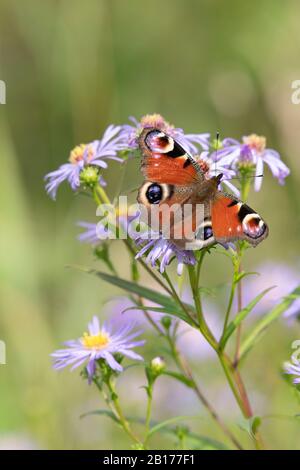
x: 168, y: 304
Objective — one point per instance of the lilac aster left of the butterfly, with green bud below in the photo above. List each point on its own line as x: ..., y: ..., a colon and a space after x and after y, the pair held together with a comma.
x: 85, y: 161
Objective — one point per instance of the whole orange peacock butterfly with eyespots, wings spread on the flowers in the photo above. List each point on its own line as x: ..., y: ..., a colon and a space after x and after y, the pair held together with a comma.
x: 184, y: 204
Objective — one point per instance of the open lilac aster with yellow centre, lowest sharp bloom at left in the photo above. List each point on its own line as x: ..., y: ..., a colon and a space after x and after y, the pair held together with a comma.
x: 98, y: 343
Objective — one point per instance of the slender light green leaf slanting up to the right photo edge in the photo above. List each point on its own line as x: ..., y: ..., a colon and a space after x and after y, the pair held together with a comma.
x: 260, y: 328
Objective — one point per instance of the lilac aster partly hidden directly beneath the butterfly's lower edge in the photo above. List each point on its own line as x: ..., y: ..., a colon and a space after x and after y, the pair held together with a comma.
x: 162, y: 251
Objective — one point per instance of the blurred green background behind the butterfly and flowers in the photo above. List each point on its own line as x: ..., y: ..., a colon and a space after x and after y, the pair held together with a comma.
x: 71, y: 68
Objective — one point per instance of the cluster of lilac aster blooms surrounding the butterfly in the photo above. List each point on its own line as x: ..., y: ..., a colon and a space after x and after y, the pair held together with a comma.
x: 229, y: 157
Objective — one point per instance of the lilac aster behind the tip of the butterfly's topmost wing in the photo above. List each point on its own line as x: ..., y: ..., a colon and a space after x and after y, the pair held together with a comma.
x: 190, y: 142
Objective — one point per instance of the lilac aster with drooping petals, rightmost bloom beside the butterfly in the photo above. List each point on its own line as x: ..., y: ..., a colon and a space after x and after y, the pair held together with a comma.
x: 251, y: 153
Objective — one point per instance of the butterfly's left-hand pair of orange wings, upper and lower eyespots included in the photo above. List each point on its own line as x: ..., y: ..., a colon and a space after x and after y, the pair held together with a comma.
x: 172, y: 177
